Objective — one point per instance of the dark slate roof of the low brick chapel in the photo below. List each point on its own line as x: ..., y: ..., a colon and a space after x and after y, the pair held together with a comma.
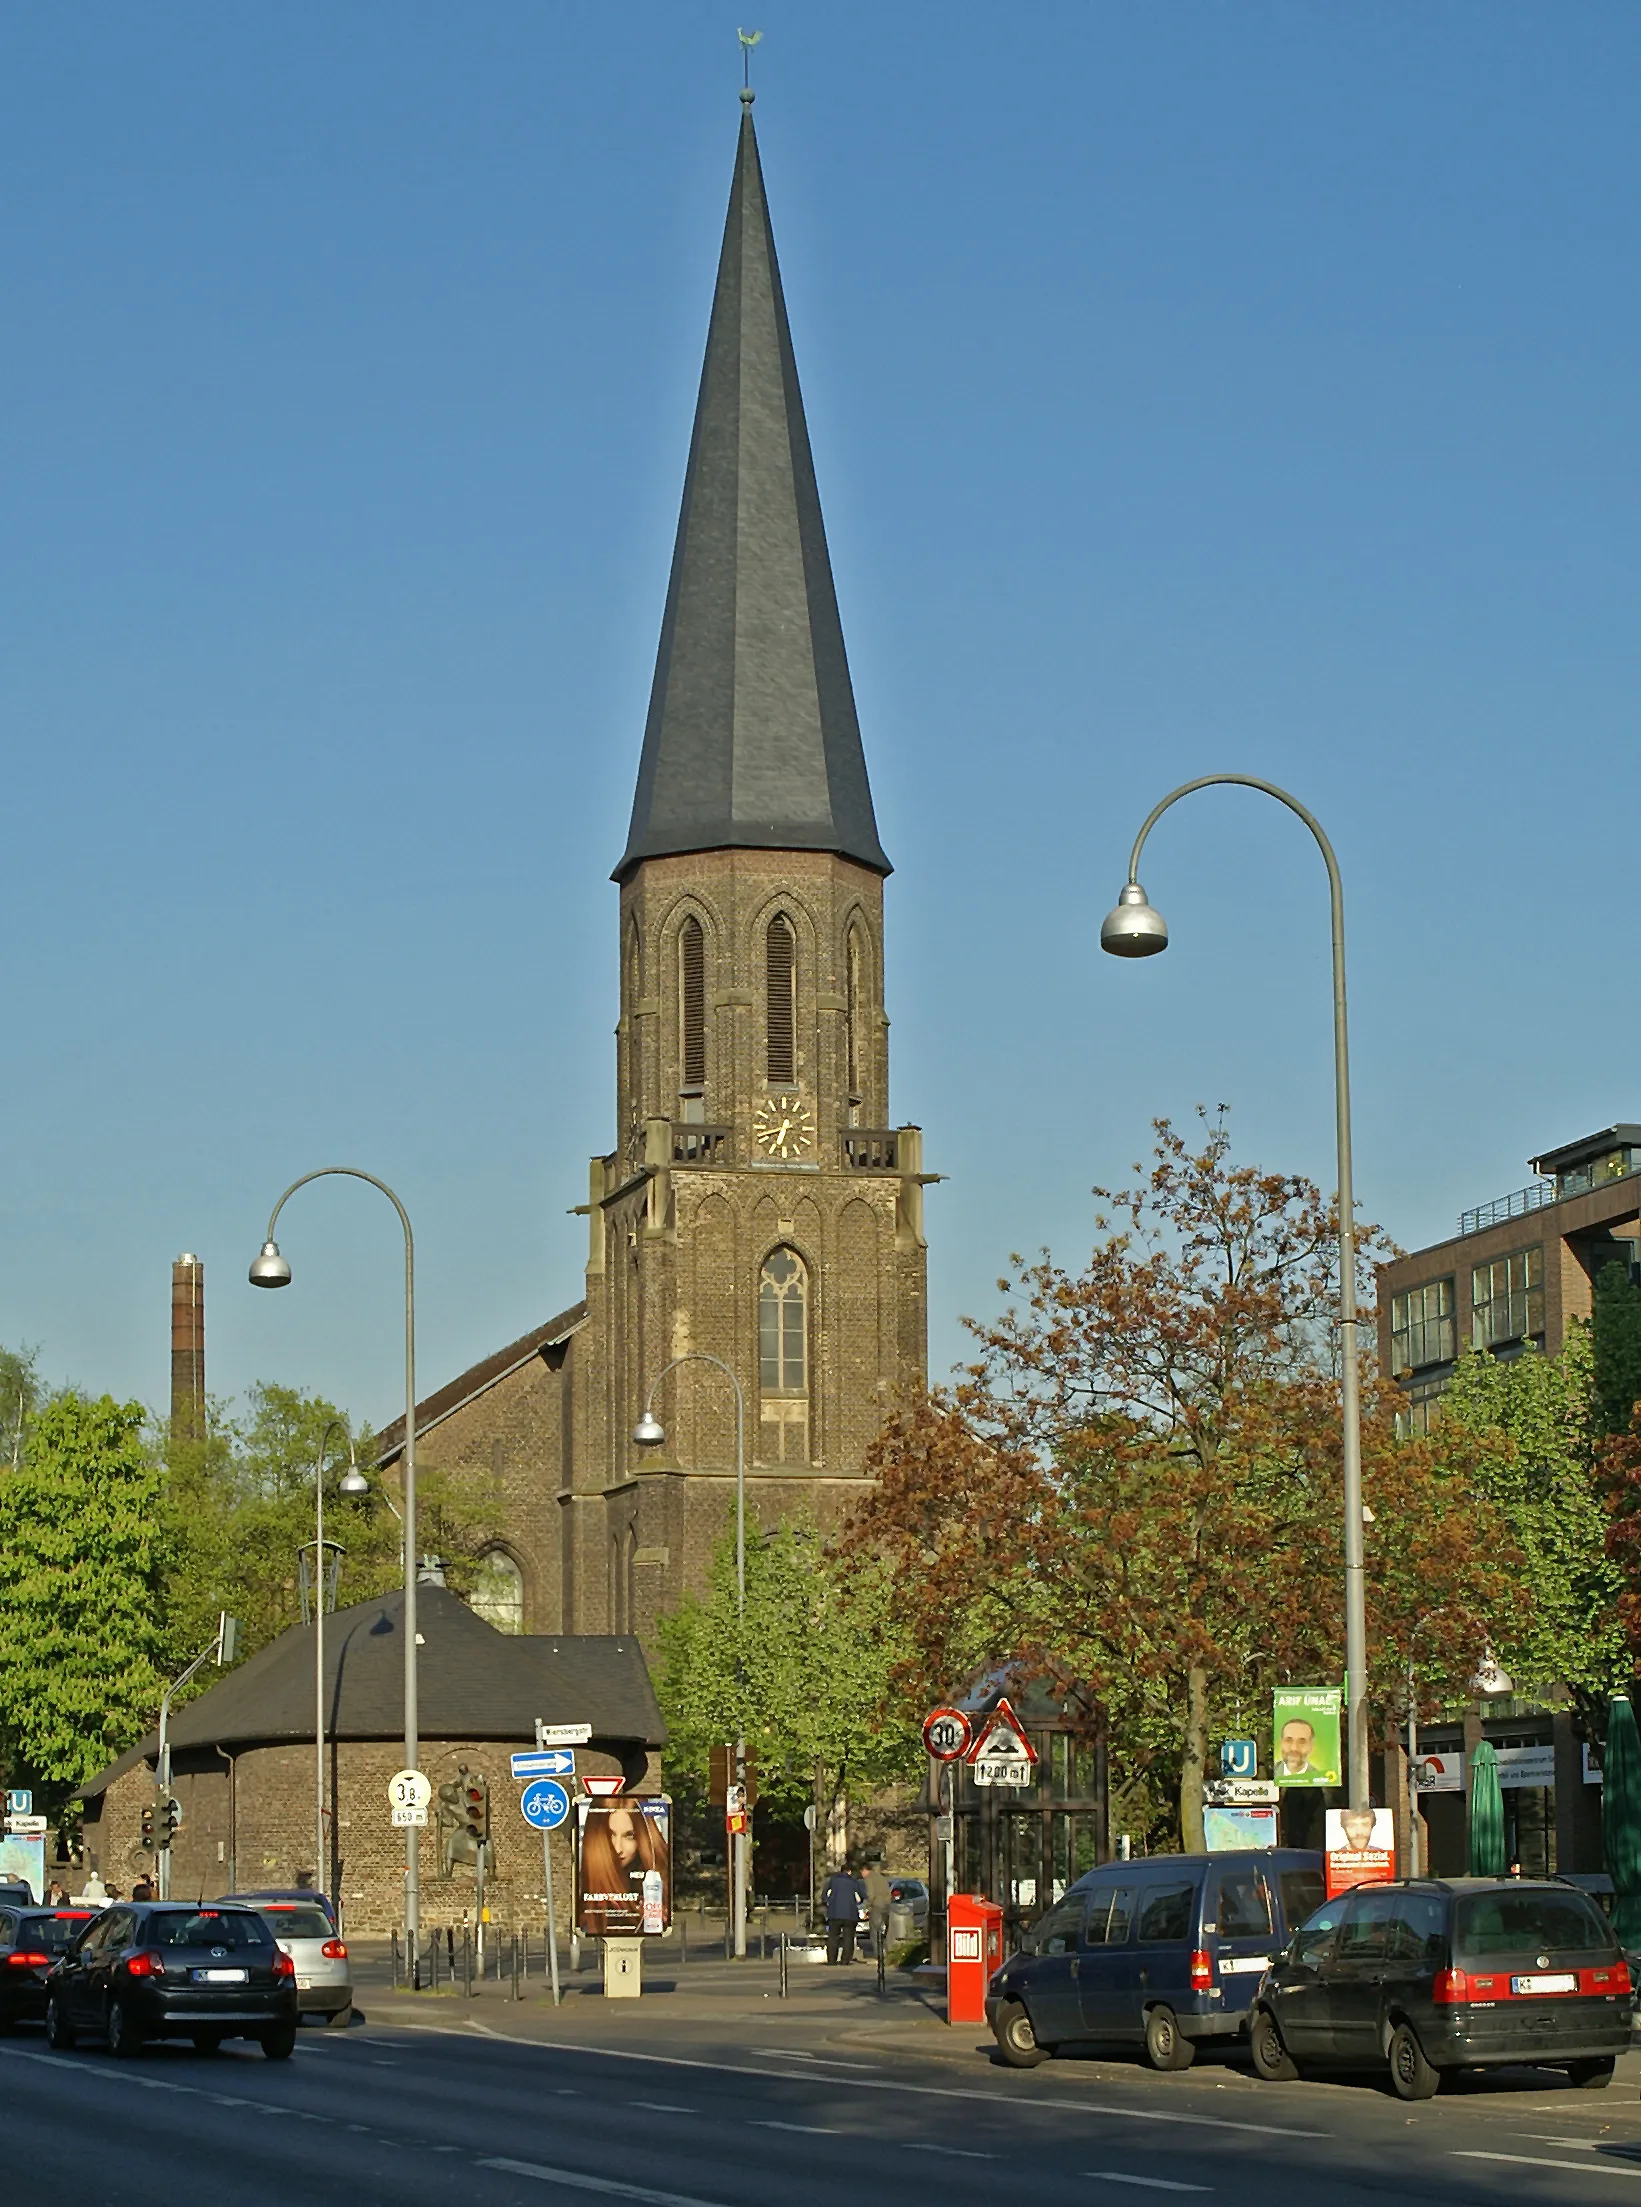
x: 475, y: 1685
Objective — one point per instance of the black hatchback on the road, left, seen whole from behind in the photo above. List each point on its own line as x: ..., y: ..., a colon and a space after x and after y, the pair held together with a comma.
x: 171, y: 1970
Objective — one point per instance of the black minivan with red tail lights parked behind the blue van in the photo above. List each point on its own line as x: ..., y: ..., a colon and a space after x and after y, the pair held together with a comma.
x: 1444, y: 1974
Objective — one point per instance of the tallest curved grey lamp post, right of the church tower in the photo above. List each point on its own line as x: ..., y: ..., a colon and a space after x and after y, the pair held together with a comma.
x: 1137, y: 930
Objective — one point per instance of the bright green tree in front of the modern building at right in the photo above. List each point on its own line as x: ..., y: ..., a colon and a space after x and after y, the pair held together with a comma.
x: 1523, y: 1433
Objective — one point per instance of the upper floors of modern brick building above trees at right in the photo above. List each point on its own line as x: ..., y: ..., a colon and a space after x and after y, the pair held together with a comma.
x: 1519, y: 1270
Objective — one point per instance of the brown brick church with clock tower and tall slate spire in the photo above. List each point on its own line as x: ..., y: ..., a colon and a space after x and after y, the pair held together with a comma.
x: 758, y: 1206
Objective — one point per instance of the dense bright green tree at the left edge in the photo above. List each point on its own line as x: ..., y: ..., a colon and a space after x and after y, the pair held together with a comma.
x: 85, y: 1546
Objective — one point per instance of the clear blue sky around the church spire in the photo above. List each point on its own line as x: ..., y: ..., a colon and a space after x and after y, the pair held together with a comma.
x: 1192, y: 390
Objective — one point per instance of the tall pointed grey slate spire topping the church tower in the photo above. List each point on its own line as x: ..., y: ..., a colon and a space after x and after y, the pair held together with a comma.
x: 753, y: 738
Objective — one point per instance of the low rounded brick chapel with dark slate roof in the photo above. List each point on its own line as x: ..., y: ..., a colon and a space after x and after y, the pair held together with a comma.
x: 246, y: 1778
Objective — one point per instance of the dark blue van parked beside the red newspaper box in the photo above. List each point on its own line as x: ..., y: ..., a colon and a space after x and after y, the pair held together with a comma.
x: 1159, y: 1954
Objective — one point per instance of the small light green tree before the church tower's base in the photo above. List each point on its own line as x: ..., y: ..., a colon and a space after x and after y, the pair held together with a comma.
x: 808, y: 1678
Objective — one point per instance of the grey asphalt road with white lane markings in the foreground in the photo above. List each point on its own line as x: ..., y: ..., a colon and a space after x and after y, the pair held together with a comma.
x: 486, y: 2113
